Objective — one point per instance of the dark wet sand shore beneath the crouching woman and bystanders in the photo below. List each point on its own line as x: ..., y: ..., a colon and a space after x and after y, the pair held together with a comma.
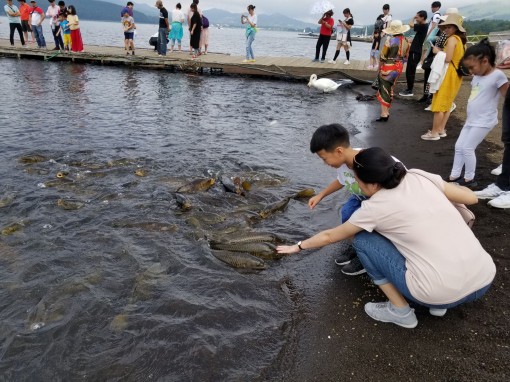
x: 337, y: 341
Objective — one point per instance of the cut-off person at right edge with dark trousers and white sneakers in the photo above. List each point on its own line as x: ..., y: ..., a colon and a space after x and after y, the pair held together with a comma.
x: 499, y: 192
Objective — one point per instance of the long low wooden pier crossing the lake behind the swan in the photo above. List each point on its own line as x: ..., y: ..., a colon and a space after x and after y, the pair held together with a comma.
x: 286, y: 68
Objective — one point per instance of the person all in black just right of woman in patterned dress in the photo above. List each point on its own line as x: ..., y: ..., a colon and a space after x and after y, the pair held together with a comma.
x: 419, y: 25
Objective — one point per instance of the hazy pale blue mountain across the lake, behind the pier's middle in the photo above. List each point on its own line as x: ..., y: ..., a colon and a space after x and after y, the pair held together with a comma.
x: 275, y: 21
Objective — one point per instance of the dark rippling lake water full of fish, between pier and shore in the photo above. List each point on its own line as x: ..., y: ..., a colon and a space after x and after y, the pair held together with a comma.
x: 126, y: 287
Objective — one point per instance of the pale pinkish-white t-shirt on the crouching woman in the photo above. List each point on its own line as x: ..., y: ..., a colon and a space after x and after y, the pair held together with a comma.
x: 444, y: 260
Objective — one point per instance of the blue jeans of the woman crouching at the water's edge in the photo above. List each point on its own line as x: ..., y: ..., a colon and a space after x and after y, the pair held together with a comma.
x: 385, y: 264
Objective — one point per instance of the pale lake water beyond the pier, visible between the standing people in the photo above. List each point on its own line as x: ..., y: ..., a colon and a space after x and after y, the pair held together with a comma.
x: 226, y: 40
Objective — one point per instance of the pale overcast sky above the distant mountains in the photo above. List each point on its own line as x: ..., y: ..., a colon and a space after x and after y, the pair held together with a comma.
x: 364, y: 11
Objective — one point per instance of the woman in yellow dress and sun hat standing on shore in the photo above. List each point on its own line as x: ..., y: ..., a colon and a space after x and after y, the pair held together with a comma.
x: 442, y: 101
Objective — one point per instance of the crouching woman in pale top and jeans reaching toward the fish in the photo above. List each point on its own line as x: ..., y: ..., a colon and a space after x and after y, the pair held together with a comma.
x: 423, y: 250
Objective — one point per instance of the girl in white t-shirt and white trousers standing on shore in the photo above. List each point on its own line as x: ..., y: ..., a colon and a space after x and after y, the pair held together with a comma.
x: 487, y: 85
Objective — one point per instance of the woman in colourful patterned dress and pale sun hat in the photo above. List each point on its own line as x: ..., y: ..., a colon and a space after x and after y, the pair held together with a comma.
x: 393, y: 54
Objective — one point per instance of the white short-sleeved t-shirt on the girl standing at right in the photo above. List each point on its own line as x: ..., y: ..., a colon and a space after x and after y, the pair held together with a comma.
x: 482, y: 109
